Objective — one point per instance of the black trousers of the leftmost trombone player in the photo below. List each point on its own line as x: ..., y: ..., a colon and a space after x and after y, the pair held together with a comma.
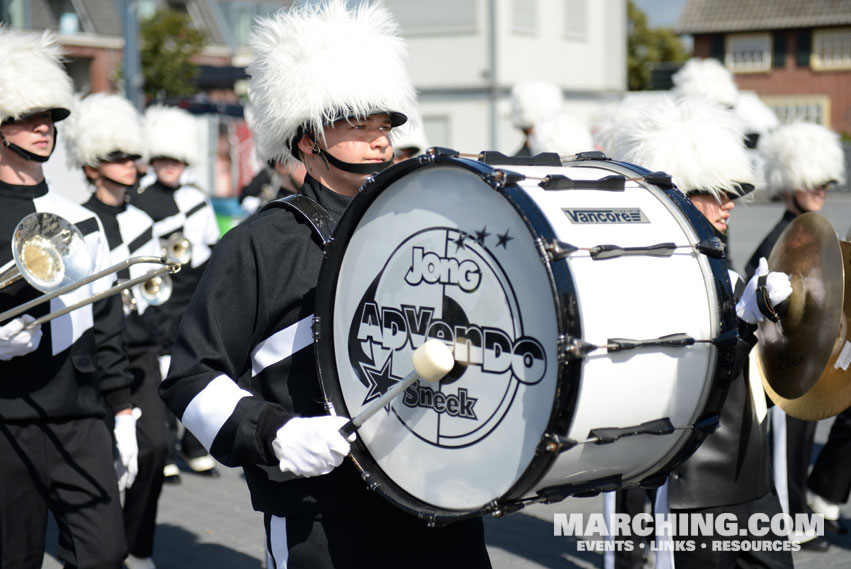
x: 66, y: 468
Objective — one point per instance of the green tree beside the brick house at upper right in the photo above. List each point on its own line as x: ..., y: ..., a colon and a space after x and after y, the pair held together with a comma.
x: 648, y: 47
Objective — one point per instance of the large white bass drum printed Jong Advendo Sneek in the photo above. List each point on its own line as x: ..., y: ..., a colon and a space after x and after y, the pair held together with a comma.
x: 576, y: 396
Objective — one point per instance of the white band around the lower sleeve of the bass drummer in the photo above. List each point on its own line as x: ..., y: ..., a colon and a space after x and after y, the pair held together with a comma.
x: 209, y: 410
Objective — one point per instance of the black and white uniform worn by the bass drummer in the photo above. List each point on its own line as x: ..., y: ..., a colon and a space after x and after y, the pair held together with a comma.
x: 243, y: 365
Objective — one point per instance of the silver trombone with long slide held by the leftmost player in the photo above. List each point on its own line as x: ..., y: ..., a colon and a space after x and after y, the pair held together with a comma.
x: 51, y: 254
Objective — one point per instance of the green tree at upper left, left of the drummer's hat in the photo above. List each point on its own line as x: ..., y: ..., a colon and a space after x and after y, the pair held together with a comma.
x: 168, y: 43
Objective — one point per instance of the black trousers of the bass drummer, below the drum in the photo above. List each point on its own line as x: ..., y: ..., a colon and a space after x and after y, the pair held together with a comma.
x: 380, y: 539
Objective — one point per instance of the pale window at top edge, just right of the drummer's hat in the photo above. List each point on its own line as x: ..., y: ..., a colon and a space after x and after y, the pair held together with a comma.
x: 416, y: 17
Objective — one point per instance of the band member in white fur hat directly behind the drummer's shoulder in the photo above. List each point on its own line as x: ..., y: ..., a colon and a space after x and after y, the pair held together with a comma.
x: 178, y: 210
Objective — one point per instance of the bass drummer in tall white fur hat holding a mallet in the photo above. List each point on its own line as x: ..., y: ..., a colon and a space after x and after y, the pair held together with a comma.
x: 243, y: 374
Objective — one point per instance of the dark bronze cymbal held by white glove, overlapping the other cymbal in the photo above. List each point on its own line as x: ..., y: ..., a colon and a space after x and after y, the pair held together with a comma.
x: 796, y: 350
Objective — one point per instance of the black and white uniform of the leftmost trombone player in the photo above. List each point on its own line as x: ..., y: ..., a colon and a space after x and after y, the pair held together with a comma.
x: 56, y: 447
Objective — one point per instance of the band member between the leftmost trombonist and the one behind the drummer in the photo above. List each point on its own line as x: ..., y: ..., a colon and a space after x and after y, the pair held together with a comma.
x: 104, y: 138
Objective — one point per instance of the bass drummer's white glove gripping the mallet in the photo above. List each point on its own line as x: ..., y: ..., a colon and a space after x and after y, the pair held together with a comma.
x: 311, y: 446
